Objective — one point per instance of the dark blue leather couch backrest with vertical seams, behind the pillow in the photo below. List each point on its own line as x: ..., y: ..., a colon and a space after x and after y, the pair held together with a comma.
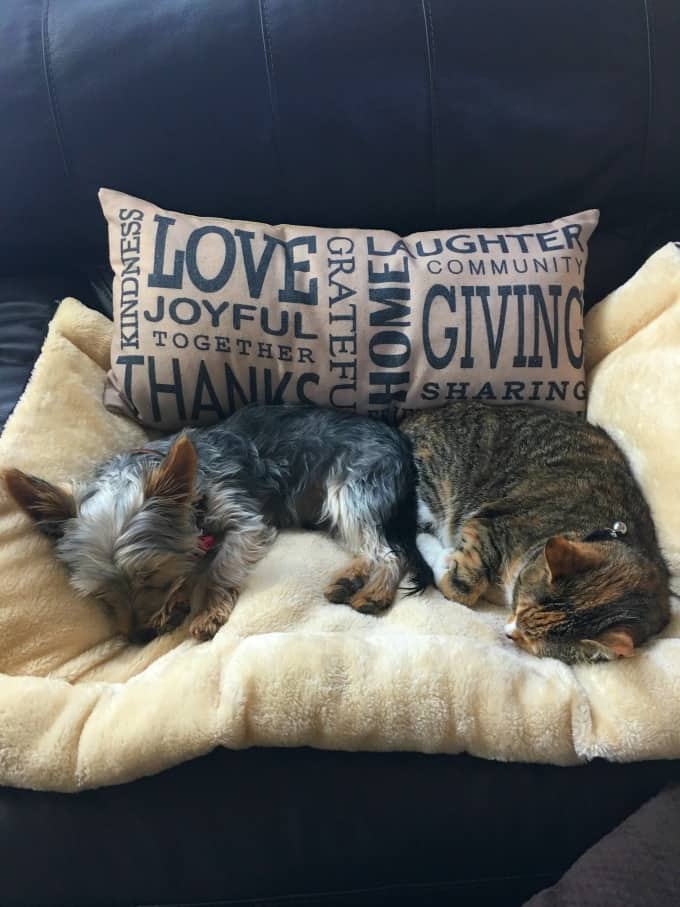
x: 402, y: 114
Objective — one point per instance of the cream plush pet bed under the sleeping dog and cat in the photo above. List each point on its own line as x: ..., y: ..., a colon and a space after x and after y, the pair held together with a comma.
x: 80, y: 708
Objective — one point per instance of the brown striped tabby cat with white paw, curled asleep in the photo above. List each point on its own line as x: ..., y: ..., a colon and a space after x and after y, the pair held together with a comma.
x: 539, y: 509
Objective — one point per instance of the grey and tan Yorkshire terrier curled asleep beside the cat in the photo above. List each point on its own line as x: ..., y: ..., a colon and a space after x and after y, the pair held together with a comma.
x: 174, y: 528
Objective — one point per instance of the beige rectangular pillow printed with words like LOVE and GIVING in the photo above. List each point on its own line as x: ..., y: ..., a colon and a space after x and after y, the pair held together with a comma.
x: 211, y: 314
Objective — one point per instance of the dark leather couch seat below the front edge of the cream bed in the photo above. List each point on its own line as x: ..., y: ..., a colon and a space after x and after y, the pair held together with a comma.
x: 360, y: 829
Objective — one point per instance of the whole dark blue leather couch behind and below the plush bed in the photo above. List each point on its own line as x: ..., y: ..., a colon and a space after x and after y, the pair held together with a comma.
x: 403, y: 114
